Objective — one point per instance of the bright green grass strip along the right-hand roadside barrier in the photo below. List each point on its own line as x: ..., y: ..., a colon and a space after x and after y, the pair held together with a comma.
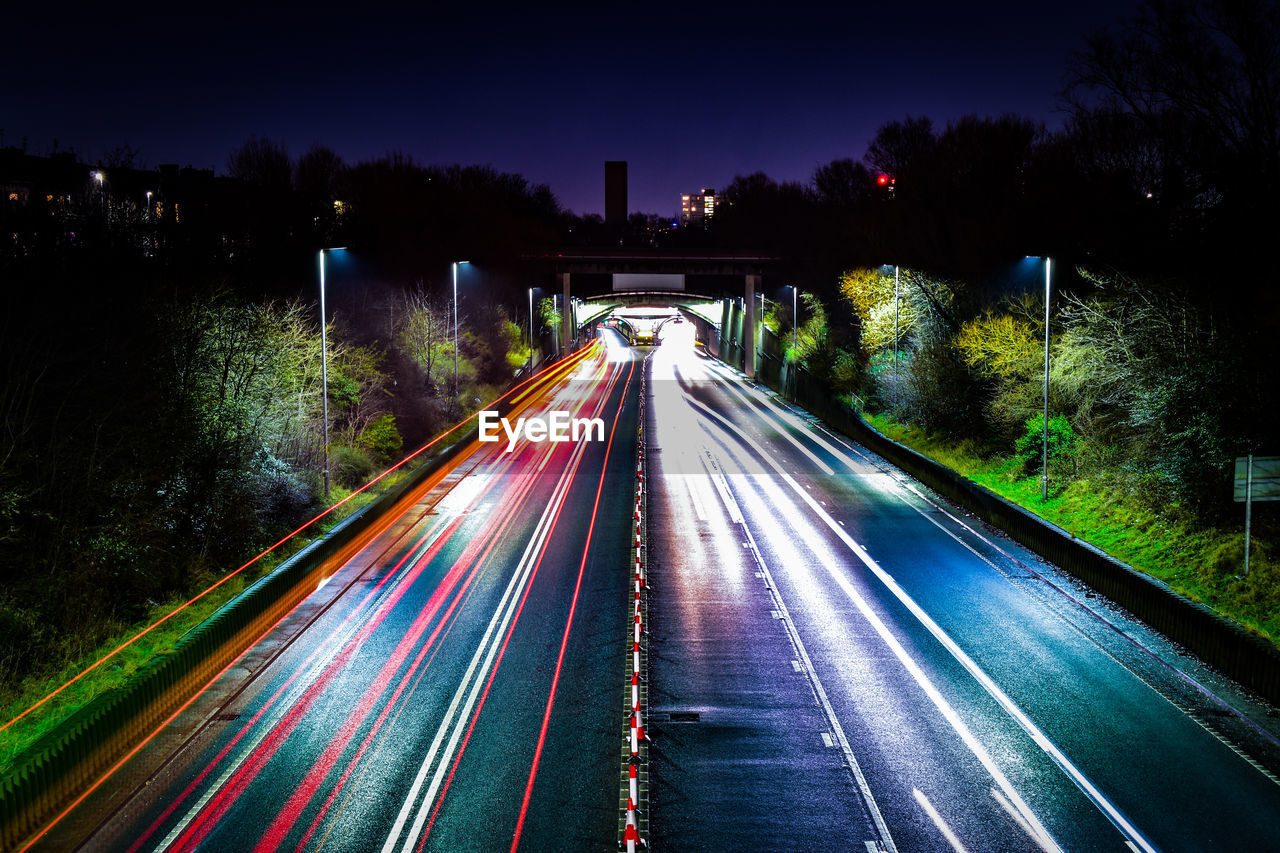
x: 1197, y: 562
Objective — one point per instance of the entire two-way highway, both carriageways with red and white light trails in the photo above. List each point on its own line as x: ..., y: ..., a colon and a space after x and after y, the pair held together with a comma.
x: 838, y: 660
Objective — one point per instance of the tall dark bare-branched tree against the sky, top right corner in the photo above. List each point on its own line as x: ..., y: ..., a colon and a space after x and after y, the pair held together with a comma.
x: 1201, y: 83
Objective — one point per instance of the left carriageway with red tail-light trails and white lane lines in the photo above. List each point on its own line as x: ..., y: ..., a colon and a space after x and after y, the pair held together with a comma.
x: 455, y: 687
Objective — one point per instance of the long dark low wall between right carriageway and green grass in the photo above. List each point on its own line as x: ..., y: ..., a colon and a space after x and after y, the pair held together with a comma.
x: 1249, y: 659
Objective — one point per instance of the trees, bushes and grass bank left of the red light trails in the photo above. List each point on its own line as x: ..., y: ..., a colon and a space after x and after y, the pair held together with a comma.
x: 148, y: 478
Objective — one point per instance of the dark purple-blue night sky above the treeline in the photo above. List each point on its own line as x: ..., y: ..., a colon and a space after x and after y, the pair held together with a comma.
x: 691, y: 94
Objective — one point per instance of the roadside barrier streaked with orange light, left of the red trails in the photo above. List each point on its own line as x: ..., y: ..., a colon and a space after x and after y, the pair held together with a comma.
x: 74, y: 756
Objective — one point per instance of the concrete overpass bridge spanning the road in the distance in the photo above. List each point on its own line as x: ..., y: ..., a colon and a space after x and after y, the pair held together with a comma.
x: 659, y: 279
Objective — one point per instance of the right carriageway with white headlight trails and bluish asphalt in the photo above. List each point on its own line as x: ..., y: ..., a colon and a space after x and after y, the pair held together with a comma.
x: 842, y: 662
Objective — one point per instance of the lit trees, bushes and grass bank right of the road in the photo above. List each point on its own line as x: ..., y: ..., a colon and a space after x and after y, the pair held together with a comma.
x: 1149, y: 403
